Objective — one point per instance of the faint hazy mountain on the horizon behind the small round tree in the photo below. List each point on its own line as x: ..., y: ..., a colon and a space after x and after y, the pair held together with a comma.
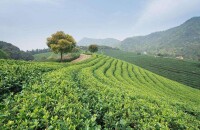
x: 105, y: 42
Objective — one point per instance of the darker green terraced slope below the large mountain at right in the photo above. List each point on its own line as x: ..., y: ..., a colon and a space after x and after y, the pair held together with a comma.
x: 185, y: 72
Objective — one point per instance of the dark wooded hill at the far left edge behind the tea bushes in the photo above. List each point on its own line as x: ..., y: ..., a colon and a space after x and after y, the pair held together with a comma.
x: 9, y: 51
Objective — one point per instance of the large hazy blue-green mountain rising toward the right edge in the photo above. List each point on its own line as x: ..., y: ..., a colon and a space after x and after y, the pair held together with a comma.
x: 183, y: 40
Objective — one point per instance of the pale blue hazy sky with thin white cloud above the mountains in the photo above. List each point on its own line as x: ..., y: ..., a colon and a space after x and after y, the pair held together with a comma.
x: 27, y: 23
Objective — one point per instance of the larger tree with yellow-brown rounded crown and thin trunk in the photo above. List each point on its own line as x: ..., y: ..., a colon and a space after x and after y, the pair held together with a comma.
x: 60, y: 42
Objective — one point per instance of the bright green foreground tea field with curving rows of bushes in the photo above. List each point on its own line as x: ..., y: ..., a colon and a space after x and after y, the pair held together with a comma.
x: 99, y: 93
